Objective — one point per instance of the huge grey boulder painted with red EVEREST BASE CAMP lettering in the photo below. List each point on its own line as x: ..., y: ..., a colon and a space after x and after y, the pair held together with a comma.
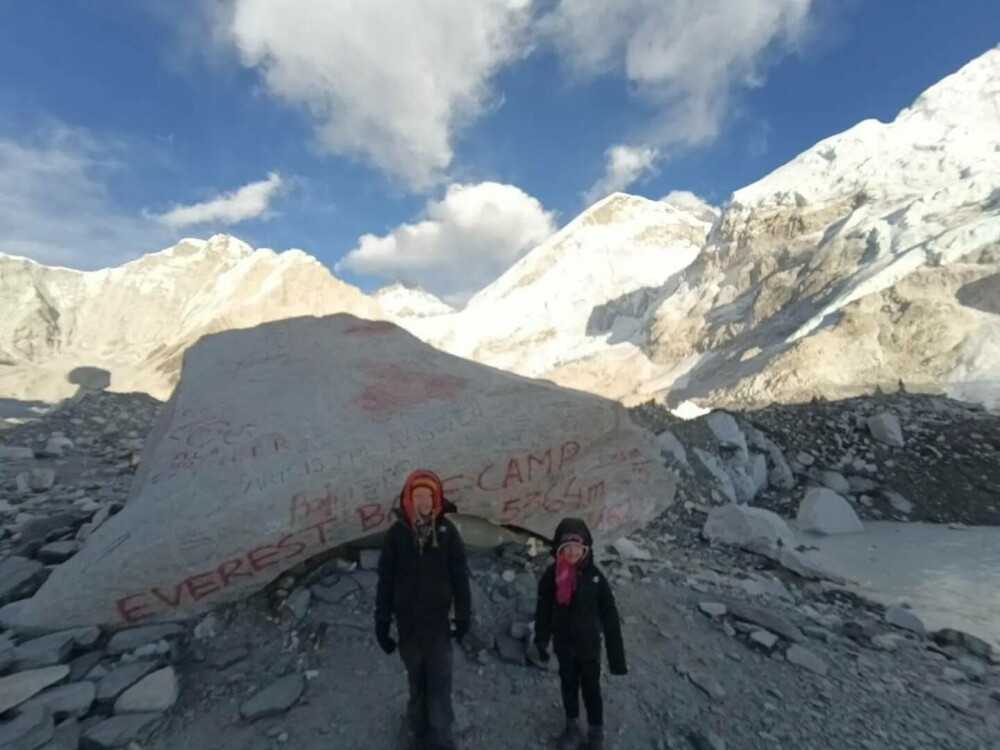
x: 287, y: 439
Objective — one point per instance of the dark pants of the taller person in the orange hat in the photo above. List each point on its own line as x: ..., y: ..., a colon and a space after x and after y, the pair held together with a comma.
x: 427, y: 658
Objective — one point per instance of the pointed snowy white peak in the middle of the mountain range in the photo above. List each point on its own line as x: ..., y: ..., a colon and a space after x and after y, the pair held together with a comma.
x: 571, y: 308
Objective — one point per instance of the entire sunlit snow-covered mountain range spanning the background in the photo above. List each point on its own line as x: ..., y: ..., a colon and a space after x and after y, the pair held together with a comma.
x: 873, y: 257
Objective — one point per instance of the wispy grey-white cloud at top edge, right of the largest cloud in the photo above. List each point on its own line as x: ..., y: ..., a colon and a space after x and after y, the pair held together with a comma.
x: 685, y: 57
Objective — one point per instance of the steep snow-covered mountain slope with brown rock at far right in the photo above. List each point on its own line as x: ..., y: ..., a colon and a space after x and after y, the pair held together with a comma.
x: 870, y: 258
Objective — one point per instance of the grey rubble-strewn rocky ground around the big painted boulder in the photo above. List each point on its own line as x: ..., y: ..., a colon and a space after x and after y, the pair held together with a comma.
x: 727, y: 648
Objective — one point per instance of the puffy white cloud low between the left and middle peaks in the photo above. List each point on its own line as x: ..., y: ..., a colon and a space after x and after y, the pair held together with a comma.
x: 463, y: 243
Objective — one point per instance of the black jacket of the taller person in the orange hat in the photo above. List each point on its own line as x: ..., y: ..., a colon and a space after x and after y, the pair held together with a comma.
x: 417, y: 586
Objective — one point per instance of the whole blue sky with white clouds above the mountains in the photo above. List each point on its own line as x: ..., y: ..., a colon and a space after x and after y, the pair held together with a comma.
x: 455, y: 134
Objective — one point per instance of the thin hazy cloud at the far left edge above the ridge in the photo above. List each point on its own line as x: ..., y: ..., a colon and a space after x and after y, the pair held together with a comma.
x: 55, y: 207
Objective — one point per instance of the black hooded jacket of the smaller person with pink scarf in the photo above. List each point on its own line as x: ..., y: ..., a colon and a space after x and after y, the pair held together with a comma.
x: 576, y: 628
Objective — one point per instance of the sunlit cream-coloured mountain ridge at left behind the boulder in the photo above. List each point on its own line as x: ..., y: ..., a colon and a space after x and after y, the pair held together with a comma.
x: 136, y: 320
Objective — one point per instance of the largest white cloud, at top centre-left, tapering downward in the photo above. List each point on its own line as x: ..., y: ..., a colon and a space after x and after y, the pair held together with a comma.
x: 388, y: 81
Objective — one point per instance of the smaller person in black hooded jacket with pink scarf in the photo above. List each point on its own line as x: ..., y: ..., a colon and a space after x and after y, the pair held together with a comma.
x: 575, y: 606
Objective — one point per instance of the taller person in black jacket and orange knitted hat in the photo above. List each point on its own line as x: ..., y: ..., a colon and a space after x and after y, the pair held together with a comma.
x: 421, y: 573
